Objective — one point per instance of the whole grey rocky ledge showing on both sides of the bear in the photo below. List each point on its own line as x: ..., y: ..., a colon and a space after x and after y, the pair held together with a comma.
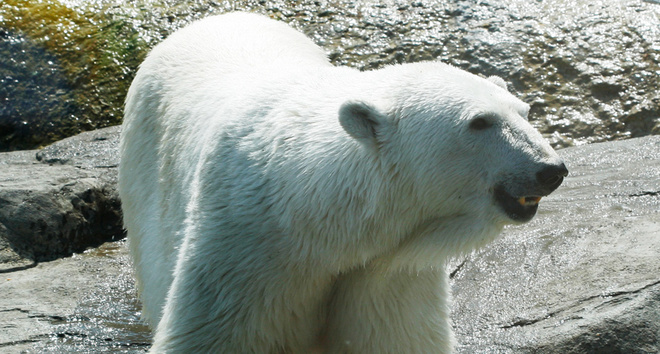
x: 582, y: 277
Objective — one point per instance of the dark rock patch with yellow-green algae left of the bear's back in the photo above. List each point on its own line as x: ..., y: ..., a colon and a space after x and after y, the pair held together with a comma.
x: 85, y: 60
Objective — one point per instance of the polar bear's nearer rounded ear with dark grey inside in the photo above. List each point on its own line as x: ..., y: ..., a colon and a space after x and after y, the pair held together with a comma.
x: 361, y: 121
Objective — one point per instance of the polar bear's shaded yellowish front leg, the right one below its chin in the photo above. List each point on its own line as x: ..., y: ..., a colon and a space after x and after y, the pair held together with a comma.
x: 383, y: 311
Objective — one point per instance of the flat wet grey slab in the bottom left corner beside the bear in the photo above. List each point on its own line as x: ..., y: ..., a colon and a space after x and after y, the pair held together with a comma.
x: 84, y: 303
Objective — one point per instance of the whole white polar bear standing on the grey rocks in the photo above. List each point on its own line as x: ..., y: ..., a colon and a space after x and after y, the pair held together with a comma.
x: 275, y: 203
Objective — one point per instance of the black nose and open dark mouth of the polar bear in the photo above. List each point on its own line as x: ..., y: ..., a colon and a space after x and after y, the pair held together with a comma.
x: 520, y: 202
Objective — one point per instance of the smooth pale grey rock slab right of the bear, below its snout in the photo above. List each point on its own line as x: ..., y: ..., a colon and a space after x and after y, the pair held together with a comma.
x: 584, y: 275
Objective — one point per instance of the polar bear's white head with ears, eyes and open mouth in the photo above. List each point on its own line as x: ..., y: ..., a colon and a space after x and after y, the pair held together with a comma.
x: 457, y: 143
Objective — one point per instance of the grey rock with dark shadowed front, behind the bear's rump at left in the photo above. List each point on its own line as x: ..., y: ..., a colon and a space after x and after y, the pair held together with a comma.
x: 59, y: 200
